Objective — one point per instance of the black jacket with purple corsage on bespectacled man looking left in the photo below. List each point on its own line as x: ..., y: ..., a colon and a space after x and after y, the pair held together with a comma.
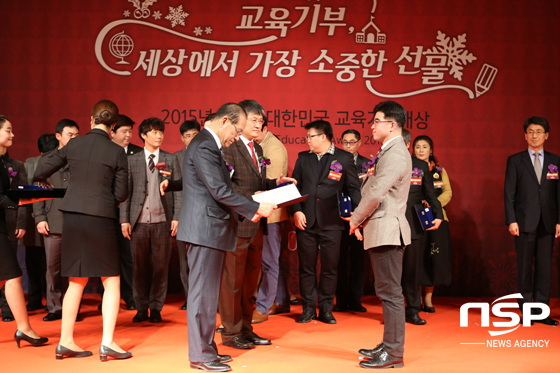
x: 321, y: 205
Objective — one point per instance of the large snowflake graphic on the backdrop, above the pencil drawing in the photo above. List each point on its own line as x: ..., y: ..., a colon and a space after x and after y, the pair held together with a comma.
x: 457, y: 55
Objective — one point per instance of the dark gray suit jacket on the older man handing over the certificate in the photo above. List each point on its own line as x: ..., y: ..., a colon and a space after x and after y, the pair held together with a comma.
x: 210, y: 205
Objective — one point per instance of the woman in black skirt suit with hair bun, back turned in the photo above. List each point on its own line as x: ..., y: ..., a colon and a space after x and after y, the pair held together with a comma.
x: 99, y: 173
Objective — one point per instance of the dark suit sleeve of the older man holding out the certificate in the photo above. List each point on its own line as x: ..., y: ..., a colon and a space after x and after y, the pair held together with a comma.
x: 209, y: 169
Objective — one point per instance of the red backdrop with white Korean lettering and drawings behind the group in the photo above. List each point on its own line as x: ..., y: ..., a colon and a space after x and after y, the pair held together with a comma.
x: 468, y: 71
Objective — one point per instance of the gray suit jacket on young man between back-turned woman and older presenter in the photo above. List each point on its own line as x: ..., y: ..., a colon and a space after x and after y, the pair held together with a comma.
x: 137, y: 186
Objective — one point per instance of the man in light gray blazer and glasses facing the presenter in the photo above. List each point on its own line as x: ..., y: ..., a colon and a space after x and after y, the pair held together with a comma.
x: 386, y: 231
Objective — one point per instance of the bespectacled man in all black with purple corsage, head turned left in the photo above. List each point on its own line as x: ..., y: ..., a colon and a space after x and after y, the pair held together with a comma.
x: 323, y: 173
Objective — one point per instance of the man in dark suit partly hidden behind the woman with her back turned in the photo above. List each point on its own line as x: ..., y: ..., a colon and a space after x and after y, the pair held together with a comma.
x: 48, y: 219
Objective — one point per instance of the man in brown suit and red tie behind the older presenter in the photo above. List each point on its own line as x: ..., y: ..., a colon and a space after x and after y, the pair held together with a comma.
x: 242, y: 266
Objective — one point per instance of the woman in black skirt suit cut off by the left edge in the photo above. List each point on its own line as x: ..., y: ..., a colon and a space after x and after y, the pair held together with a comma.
x: 10, y: 273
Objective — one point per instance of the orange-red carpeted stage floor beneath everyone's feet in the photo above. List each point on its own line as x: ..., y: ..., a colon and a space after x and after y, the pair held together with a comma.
x: 313, y: 347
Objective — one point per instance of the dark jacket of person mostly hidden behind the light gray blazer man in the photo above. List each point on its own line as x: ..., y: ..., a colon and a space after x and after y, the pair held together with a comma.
x: 417, y: 193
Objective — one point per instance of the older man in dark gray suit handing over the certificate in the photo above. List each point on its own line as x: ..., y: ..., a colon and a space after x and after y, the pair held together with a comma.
x: 208, y: 224
